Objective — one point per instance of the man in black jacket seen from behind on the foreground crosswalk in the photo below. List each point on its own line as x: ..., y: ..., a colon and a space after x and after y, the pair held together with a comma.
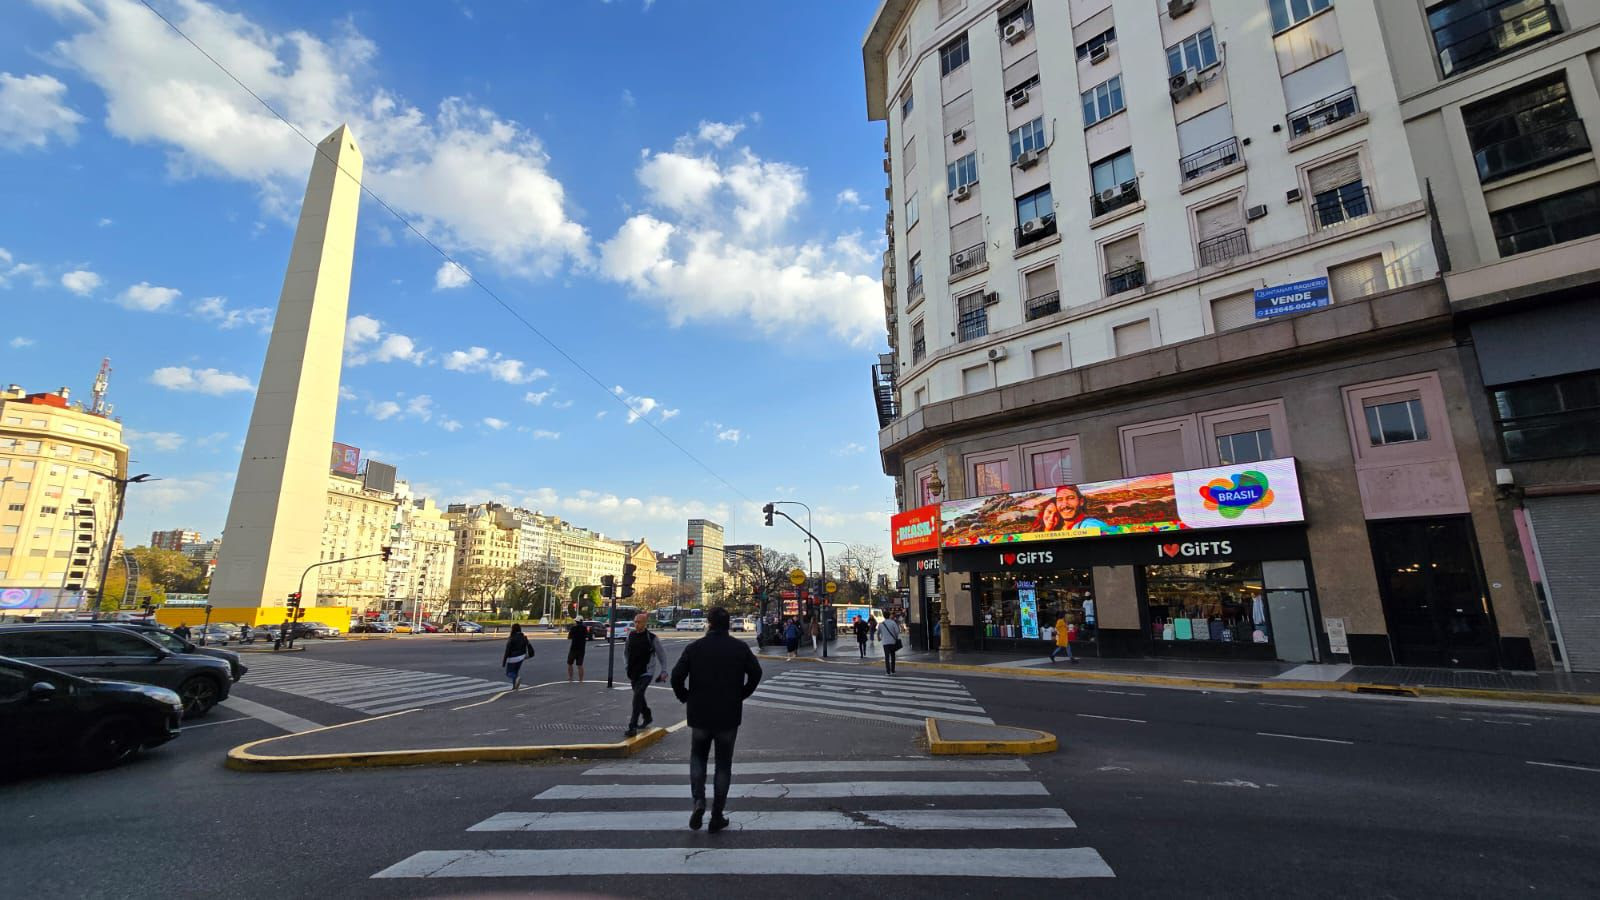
x: 714, y: 677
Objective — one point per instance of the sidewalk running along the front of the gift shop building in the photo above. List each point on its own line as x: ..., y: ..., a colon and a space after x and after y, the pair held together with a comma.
x: 1535, y: 688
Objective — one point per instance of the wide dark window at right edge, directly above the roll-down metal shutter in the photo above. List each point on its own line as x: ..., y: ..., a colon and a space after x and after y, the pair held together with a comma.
x: 1551, y: 419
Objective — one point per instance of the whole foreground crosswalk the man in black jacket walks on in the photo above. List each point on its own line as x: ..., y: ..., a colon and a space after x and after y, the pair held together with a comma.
x: 918, y: 818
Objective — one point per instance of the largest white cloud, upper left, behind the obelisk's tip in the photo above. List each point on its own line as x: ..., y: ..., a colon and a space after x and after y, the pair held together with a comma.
x: 470, y: 179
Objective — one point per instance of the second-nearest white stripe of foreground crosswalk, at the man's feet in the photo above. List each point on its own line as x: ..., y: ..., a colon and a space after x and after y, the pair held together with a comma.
x: 769, y: 821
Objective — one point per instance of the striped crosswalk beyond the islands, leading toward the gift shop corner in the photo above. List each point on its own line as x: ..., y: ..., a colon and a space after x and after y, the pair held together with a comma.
x: 838, y: 691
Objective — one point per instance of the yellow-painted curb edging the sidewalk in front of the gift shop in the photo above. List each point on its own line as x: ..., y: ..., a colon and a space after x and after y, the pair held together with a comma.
x: 1258, y: 685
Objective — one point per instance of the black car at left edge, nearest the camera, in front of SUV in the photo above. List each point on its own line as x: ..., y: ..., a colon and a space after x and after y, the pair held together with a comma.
x: 50, y: 717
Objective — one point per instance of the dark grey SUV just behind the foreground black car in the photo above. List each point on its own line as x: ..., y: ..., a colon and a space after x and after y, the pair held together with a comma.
x: 114, y: 653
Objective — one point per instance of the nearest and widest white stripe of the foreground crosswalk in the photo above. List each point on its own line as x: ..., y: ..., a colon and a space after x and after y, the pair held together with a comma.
x: 1060, y: 864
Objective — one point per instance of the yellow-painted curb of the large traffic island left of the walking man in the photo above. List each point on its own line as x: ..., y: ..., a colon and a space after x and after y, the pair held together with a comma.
x: 242, y: 760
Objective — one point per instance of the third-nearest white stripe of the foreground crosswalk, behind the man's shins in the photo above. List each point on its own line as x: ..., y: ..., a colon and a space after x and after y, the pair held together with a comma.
x: 802, y: 790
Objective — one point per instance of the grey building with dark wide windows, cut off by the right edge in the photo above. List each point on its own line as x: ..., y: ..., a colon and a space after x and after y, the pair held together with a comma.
x: 1502, y: 108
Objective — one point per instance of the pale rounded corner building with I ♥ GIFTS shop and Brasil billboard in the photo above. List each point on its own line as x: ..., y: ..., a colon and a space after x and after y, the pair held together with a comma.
x: 1137, y: 241
